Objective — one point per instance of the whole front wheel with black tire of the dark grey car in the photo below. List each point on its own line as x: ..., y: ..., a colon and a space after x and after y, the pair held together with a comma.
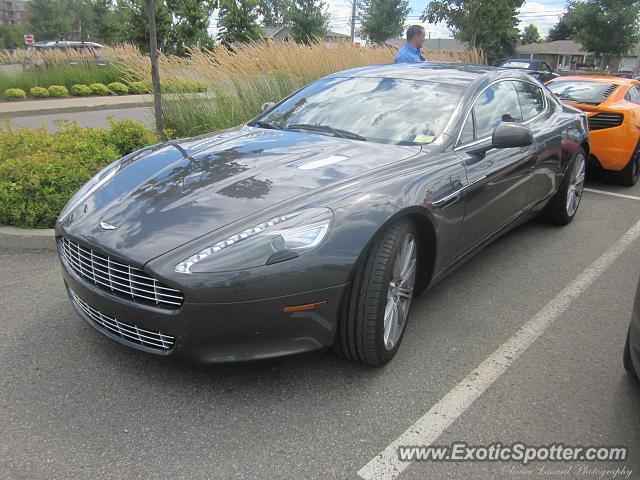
x: 361, y: 334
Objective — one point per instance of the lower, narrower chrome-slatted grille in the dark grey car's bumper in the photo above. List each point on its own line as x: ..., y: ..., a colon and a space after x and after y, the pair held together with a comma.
x: 130, y: 333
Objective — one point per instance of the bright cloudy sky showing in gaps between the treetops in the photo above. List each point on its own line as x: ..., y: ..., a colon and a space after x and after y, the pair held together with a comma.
x: 542, y: 13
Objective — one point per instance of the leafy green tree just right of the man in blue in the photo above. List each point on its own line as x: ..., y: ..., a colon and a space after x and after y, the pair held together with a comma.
x: 487, y: 24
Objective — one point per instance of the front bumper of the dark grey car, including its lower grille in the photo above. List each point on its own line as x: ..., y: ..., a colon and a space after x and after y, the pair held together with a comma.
x: 210, y: 332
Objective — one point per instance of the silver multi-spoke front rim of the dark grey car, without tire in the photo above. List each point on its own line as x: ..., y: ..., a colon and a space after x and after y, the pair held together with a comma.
x: 400, y: 292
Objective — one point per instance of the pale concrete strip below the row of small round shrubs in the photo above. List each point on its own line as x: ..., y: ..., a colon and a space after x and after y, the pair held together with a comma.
x: 71, y: 104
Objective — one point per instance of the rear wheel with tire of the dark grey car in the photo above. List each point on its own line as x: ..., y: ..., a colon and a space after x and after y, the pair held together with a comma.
x: 559, y: 211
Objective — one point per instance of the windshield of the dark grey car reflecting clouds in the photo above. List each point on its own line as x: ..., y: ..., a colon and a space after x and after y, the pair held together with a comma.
x: 385, y: 110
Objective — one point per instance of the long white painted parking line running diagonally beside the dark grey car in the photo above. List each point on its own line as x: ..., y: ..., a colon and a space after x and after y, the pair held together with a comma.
x: 431, y: 425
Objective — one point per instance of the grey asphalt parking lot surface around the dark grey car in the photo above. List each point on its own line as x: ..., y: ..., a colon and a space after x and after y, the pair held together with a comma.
x: 76, y: 405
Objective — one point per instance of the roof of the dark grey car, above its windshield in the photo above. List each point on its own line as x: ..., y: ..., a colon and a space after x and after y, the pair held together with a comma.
x: 442, y: 72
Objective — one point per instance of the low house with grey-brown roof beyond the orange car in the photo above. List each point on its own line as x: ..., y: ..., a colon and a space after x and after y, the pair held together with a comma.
x: 566, y: 55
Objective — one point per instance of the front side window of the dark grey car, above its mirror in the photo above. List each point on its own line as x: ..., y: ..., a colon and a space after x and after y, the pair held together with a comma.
x: 498, y: 103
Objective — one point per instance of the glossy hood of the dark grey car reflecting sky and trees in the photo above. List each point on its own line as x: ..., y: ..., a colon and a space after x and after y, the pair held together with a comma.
x: 169, y: 195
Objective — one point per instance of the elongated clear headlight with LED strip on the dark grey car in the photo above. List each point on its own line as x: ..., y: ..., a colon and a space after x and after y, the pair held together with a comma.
x: 275, y: 240
